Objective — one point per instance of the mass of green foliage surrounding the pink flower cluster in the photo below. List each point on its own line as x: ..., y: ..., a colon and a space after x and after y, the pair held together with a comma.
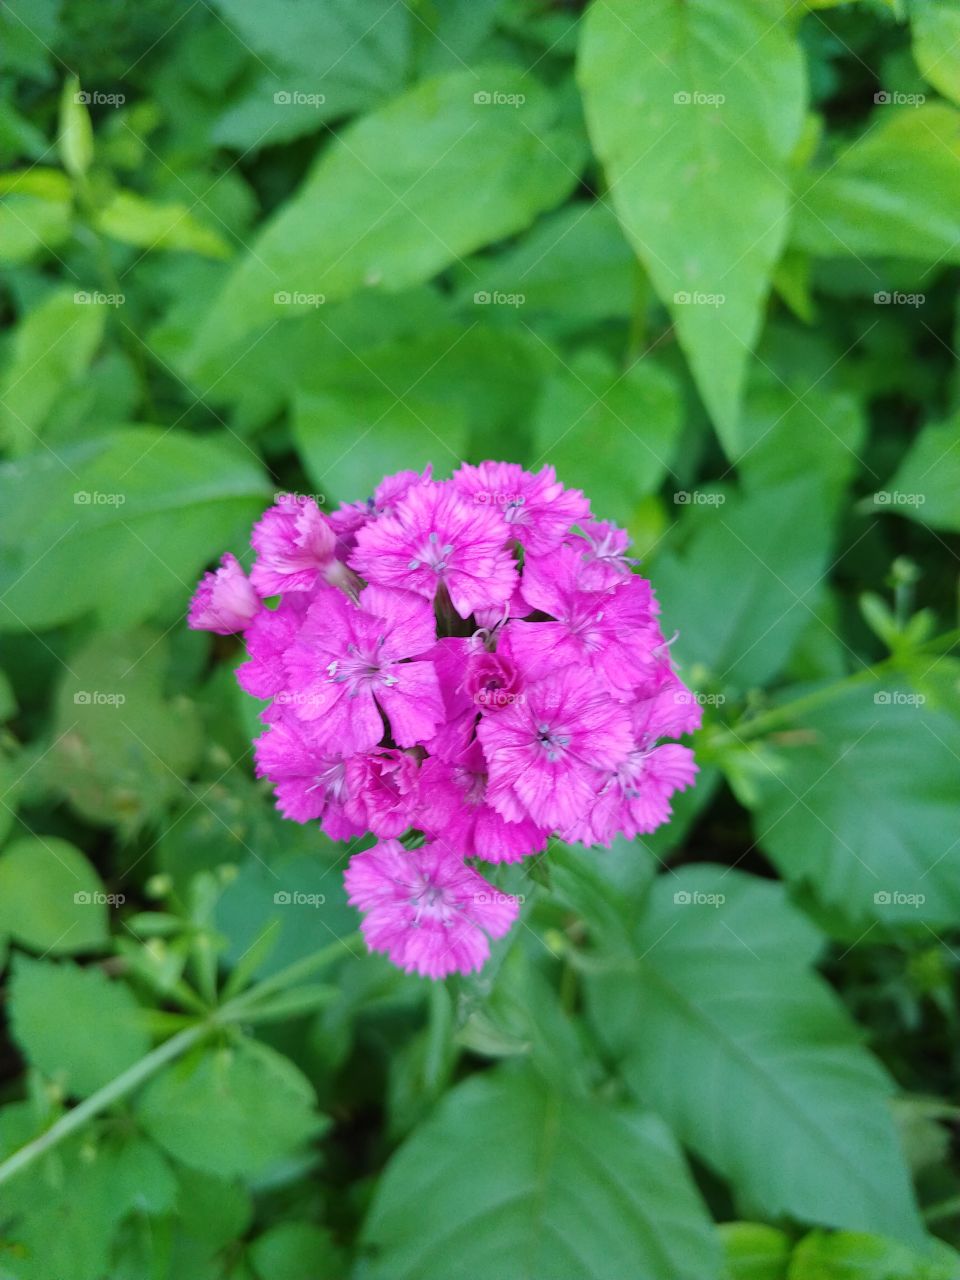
x: 702, y: 257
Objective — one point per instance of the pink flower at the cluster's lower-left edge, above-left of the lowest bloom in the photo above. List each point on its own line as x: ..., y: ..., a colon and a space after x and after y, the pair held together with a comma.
x: 309, y: 785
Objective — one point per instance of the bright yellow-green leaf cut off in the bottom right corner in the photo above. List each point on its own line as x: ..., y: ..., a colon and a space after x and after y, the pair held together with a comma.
x: 849, y: 1256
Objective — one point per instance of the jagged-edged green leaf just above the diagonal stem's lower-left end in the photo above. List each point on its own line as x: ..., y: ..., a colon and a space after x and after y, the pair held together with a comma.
x: 75, y: 1025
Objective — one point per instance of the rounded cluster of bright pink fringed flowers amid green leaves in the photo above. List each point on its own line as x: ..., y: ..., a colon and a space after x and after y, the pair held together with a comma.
x: 472, y: 665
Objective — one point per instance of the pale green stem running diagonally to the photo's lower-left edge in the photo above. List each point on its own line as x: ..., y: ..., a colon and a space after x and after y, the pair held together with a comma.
x: 234, y: 1012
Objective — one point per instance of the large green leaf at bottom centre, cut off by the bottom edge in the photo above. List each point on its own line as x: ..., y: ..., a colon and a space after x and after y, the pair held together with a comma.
x: 559, y: 1187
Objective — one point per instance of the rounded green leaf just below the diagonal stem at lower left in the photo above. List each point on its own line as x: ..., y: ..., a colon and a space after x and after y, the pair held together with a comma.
x: 231, y: 1110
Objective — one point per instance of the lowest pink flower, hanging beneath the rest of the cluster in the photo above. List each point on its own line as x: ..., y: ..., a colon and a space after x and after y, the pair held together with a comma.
x: 427, y: 909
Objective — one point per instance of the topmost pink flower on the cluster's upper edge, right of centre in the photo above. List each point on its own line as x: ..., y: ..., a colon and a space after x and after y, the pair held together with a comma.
x: 538, y: 510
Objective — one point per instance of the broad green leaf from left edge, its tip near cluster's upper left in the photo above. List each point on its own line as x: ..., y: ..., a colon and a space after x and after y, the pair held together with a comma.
x: 120, y: 525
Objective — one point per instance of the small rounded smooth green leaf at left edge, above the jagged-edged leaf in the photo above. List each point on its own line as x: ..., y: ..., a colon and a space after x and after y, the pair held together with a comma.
x: 52, y: 900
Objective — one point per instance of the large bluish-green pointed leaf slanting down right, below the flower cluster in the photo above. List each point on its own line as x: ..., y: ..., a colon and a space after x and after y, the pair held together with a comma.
x: 752, y: 1059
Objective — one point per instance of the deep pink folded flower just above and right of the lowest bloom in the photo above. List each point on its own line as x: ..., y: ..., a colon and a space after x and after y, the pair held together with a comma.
x: 455, y: 810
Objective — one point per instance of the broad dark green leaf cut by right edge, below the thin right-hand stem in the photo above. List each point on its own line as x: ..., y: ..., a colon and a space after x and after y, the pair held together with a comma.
x: 840, y: 813
